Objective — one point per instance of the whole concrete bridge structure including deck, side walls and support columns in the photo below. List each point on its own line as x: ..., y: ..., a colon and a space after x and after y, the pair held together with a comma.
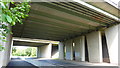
x: 85, y: 34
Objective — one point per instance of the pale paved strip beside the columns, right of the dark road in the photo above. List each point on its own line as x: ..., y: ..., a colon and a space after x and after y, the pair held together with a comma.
x: 67, y: 64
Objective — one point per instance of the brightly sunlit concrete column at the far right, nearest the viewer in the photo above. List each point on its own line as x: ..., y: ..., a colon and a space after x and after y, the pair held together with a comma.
x: 112, y: 43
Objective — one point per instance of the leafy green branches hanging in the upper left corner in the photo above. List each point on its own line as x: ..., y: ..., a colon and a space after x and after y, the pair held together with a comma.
x: 10, y: 16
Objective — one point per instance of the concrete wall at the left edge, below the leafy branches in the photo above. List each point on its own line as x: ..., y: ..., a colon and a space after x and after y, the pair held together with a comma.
x: 5, y: 54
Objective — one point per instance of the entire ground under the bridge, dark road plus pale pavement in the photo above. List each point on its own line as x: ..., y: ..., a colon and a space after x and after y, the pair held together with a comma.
x: 48, y: 63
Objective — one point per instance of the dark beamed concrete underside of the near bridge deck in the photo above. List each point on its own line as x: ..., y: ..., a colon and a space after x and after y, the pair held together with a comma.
x: 61, y: 21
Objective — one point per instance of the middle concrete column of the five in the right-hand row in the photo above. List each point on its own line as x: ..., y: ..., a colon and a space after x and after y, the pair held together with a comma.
x: 79, y: 48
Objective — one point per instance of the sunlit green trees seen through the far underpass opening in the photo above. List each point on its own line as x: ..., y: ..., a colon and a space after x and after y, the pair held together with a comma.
x: 30, y: 52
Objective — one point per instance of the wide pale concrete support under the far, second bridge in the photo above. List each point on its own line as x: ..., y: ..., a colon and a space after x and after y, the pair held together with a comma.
x: 44, y: 51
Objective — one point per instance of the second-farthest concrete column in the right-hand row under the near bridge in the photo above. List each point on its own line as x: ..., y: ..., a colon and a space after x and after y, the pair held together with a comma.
x: 69, y: 50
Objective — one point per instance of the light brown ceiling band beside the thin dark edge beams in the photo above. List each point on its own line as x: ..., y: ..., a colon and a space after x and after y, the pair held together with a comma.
x: 63, y: 15
